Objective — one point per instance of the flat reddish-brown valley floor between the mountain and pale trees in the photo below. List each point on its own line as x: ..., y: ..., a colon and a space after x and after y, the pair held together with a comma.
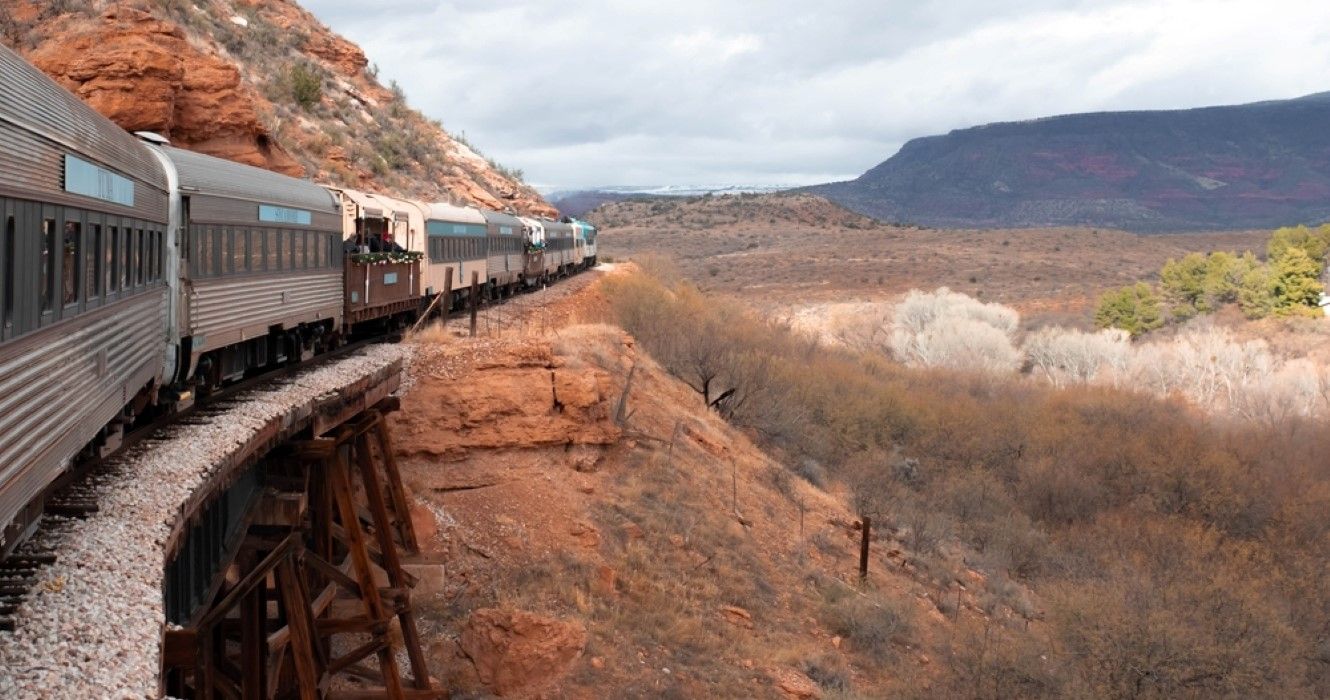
x: 797, y: 254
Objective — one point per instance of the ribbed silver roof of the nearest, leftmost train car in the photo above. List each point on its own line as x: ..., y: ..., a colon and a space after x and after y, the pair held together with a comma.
x: 35, y: 106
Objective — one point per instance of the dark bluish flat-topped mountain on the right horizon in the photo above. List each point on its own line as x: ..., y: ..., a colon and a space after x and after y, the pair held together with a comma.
x: 1219, y: 168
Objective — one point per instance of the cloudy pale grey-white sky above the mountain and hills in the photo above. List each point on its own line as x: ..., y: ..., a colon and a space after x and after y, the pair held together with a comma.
x: 707, y: 92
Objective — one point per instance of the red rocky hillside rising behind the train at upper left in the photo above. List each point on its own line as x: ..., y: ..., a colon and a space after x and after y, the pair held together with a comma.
x: 257, y: 82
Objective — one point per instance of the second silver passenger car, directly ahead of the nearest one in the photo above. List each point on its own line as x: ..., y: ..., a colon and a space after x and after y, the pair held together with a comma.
x: 261, y: 267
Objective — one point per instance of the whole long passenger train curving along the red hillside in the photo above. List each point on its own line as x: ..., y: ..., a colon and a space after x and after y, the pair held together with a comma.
x: 136, y: 277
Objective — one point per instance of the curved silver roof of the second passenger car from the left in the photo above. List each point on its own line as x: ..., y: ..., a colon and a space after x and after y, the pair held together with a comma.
x: 217, y: 178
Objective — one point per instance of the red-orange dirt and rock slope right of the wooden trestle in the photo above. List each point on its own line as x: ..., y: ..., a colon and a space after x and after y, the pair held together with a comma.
x: 575, y: 557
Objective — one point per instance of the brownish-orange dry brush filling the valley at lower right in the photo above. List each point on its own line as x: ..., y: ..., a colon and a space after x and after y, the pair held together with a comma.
x: 1127, y: 545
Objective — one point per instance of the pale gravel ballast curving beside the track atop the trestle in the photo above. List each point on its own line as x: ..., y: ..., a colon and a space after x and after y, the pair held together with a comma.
x: 94, y: 623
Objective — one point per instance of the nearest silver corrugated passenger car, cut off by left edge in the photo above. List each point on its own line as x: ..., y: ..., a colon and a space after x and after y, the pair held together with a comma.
x: 84, y: 291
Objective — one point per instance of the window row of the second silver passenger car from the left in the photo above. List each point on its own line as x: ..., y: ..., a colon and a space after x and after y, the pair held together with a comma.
x: 219, y: 251
